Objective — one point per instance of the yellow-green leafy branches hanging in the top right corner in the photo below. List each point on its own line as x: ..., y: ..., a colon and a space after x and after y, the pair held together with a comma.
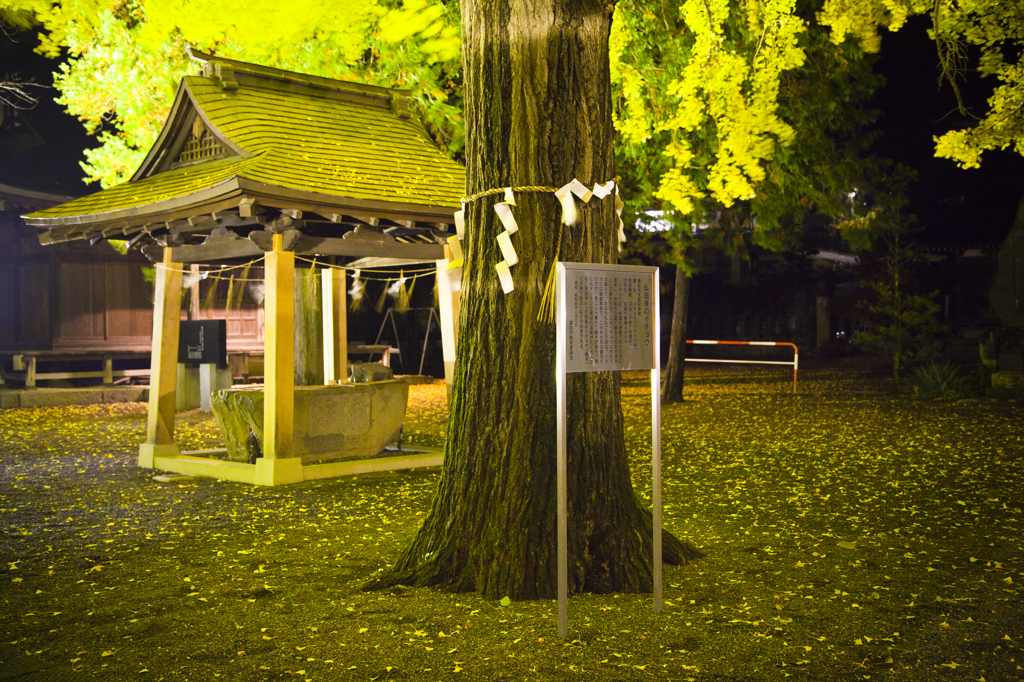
x: 992, y: 29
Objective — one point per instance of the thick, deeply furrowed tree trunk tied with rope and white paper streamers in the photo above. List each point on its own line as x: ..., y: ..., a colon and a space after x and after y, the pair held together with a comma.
x: 538, y: 113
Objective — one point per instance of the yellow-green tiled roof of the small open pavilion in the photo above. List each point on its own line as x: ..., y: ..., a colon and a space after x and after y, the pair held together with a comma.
x: 334, y: 143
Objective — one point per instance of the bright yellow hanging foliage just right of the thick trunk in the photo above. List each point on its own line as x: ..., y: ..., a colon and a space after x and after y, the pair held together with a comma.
x: 714, y: 88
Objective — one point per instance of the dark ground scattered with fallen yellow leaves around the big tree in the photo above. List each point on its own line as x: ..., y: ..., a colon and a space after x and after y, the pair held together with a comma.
x: 850, y: 535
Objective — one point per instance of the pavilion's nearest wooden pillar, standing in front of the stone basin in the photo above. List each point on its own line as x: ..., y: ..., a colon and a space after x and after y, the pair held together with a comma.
x: 278, y: 466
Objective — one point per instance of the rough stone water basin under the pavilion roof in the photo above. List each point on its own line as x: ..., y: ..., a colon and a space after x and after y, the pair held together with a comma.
x: 339, y: 422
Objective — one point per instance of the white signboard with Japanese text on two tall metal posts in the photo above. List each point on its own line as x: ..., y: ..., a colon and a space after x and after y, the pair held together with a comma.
x: 607, y: 320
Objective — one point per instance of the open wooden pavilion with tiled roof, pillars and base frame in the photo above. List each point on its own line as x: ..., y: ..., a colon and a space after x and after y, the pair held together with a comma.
x: 262, y: 163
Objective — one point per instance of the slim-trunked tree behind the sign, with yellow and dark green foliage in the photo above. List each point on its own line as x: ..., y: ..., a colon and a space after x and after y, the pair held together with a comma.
x: 804, y: 149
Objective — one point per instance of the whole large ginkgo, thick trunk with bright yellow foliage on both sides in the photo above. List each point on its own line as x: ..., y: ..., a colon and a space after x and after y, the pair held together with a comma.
x: 536, y: 116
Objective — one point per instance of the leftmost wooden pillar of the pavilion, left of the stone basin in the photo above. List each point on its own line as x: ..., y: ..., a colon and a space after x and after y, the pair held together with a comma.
x: 163, y: 364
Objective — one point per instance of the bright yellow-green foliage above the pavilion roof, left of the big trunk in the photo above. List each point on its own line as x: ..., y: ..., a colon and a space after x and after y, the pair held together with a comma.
x: 126, y: 58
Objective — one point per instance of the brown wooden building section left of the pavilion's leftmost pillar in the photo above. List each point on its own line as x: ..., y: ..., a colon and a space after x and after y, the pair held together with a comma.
x: 76, y: 311
